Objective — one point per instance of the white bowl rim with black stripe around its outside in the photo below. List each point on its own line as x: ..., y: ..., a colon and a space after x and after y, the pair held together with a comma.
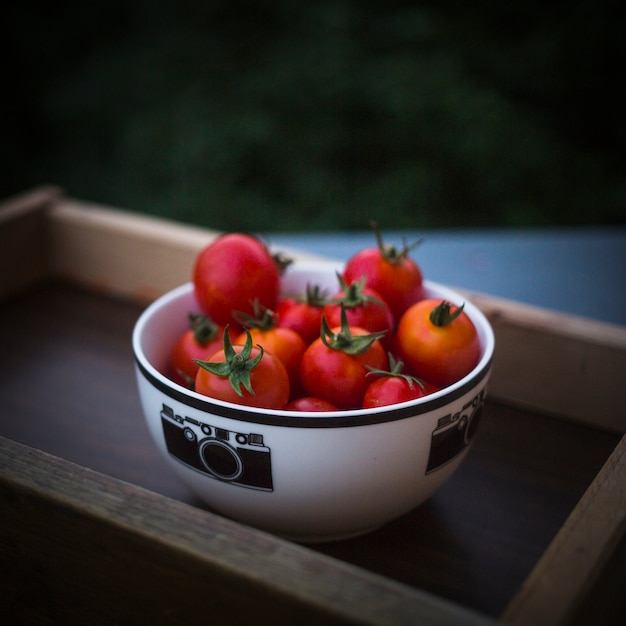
x: 306, y: 419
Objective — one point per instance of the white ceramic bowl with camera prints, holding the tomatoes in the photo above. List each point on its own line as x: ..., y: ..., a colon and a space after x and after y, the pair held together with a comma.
x: 308, y: 477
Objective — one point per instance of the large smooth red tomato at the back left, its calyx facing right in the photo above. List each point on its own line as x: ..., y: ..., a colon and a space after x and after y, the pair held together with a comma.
x: 231, y: 272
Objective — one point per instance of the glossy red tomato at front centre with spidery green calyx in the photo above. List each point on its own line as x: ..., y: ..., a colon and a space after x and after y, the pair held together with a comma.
x: 330, y: 372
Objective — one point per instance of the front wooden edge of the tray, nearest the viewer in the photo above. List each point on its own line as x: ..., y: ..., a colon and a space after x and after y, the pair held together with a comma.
x: 249, y: 572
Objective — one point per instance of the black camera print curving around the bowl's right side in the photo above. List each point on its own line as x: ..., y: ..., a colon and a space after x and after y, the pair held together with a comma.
x: 454, y: 432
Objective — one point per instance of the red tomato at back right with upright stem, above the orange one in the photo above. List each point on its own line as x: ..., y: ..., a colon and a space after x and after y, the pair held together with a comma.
x: 390, y: 272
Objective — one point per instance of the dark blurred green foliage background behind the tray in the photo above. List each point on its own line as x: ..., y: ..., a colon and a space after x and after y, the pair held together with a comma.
x: 287, y: 115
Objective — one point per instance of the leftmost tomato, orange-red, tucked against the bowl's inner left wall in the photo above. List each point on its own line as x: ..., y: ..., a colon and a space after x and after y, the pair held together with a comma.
x: 202, y: 339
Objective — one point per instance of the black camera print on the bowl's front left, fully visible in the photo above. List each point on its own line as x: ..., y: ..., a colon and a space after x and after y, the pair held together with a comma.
x: 238, y: 458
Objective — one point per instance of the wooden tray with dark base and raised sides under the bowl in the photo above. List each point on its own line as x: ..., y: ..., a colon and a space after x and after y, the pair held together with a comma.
x: 94, y: 528
